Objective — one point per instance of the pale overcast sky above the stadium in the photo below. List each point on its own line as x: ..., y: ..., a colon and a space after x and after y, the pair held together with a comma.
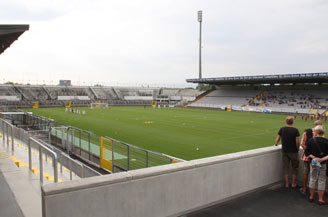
x: 147, y: 42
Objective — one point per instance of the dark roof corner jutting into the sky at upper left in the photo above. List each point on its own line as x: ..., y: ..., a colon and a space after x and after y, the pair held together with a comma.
x: 10, y: 33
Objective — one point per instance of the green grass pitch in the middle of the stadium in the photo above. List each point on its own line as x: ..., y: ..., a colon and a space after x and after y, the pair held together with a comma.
x: 179, y: 131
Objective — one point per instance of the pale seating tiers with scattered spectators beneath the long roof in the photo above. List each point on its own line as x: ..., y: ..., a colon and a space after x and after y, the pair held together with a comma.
x: 291, y: 99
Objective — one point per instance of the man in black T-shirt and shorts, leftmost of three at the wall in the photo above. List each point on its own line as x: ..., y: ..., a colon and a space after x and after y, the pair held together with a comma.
x: 290, y: 139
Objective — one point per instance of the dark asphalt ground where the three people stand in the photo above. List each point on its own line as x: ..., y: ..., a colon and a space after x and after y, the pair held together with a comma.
x: 269, y: 203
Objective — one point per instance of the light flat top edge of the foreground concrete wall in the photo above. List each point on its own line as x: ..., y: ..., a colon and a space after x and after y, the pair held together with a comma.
x: 92, y: 182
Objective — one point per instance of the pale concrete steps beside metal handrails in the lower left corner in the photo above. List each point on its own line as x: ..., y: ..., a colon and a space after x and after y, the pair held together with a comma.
x: 20, y: 189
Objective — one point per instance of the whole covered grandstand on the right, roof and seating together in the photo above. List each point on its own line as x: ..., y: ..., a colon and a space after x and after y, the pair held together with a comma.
x: 300, y: 93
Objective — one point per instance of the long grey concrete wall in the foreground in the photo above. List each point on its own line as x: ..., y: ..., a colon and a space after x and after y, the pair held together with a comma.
x: 167, y: 190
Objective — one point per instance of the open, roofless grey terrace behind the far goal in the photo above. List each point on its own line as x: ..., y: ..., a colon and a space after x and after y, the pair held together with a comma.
x: 50, y: 96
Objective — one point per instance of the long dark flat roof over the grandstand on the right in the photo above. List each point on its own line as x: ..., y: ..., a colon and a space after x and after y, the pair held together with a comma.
x: 319, y: 77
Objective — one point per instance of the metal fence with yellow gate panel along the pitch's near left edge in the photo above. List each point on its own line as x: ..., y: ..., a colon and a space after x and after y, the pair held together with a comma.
x: 103, y: 152
